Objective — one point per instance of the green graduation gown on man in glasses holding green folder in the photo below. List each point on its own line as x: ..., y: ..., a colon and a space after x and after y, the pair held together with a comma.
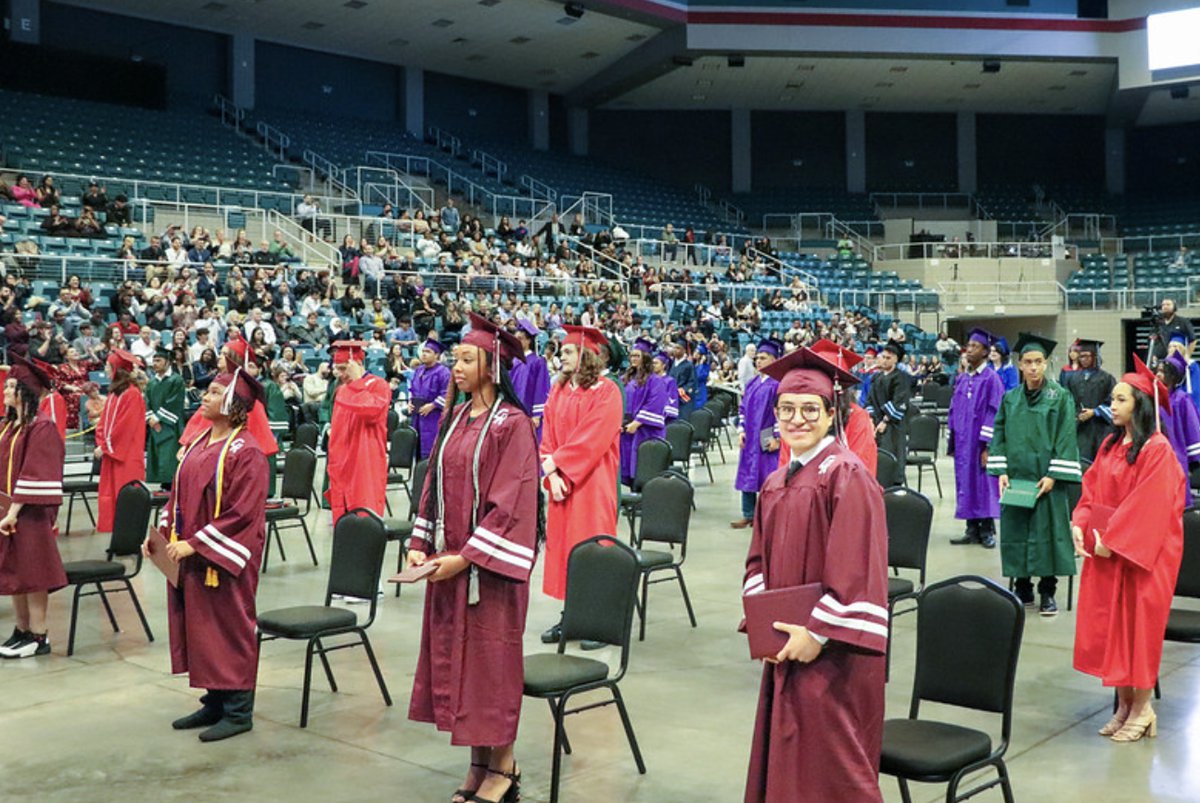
x: 1036, y: 440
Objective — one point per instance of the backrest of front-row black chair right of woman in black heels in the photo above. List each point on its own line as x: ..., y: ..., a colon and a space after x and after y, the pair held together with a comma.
x: 602, y: 588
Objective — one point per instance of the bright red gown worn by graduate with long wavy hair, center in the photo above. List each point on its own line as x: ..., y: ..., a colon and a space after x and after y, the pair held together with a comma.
x: 581, y: 432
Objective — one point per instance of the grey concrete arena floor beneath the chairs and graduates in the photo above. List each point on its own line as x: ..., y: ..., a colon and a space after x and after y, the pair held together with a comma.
x: 97, y: 727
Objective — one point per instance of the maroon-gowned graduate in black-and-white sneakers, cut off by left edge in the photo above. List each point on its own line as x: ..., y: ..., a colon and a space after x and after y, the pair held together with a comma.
x: 32, y: 464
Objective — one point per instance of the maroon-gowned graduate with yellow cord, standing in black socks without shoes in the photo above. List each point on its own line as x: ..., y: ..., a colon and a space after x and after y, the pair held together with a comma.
x: 215, y: 528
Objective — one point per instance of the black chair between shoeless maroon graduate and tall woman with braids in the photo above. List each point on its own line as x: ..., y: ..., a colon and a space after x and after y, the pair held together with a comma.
x: 355, y: 570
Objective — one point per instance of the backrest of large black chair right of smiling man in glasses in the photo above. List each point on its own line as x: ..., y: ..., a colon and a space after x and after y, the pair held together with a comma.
x: 969, y: 639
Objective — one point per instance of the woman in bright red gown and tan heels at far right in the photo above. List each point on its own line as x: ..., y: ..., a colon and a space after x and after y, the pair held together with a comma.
x: 1129, y: 526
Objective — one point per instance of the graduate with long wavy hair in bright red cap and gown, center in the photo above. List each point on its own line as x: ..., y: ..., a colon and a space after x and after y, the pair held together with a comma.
x: 580, y: 457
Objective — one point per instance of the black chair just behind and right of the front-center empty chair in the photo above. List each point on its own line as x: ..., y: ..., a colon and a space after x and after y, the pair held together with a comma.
x: 667, y: 502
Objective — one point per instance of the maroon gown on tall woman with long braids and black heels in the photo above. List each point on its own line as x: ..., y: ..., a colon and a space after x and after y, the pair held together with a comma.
x: 471, y: 672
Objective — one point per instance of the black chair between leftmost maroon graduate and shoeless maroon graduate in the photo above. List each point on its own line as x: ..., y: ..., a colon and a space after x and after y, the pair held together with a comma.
x: 130, y: 522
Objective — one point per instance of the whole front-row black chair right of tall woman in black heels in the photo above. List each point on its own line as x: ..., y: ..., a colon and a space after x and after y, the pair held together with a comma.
x: 602, y: 594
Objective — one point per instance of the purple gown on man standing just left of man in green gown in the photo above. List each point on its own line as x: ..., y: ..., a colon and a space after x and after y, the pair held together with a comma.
x: 973, y: 414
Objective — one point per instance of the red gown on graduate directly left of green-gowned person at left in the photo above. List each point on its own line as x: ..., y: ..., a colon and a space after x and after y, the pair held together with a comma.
x: 122, y: 438
